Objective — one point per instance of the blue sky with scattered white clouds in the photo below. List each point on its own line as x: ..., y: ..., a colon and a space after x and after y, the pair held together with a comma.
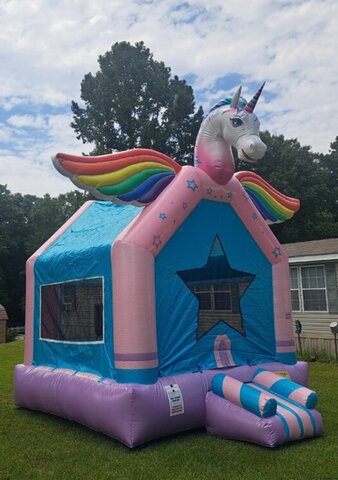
x: 46, y: 48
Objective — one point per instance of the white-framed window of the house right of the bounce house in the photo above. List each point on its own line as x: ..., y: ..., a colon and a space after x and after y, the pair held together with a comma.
x: 308, y: 289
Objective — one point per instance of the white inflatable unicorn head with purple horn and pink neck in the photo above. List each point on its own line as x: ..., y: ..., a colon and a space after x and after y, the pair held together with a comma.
x: 230, y: 123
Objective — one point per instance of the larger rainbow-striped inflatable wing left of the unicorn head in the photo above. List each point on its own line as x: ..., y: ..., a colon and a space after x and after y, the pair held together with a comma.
x: 135, y: 176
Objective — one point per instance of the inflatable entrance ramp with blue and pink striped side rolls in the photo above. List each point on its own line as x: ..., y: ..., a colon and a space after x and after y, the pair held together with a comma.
x: 269, y: 411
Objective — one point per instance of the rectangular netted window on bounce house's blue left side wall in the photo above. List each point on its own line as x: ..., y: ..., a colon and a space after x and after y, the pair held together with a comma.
x: 73, y: 311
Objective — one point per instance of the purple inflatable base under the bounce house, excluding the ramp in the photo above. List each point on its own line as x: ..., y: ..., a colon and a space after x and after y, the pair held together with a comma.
x: 131, y: 413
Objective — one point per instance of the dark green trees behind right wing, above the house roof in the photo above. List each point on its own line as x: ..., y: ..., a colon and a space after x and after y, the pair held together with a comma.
x: 295, y: 171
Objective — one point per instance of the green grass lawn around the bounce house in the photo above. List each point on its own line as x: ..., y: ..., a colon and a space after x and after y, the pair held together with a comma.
x: 34, y: 445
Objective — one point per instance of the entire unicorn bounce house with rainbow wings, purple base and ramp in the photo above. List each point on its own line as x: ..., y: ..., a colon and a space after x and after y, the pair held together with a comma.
x: 143, y: 322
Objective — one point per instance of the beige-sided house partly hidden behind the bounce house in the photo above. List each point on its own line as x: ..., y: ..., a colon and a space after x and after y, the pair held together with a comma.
x: 314, y: 290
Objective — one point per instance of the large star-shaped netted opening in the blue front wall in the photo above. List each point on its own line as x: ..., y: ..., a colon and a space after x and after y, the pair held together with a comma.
x: 218, y: 288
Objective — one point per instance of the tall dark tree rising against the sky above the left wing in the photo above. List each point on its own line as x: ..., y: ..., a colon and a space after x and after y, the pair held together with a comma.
x: 133, y: 101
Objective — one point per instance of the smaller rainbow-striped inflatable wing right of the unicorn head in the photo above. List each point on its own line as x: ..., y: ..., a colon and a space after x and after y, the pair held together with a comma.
x: 273, y: 205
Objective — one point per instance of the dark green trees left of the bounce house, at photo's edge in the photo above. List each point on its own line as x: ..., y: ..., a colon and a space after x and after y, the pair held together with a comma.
x: 26, y: 222
